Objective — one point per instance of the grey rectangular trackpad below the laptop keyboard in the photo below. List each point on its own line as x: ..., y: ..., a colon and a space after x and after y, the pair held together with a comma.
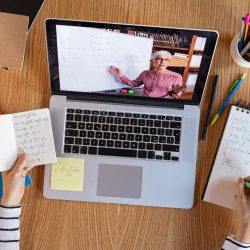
x: 119, y: 181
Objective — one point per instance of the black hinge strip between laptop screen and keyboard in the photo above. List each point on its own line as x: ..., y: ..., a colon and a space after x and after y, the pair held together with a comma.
x: 128, y: 101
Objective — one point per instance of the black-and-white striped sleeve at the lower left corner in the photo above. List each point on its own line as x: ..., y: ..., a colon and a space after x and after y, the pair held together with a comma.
x: 9, y: 227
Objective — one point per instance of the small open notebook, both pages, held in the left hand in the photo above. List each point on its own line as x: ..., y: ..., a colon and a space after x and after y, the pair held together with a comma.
x: 29, y: 132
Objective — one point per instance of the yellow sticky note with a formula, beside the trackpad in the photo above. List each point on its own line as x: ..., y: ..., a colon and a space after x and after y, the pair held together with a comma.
x: 67, y: 174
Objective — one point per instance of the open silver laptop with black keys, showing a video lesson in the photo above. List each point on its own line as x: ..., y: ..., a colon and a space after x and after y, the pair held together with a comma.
x: 125, y: 98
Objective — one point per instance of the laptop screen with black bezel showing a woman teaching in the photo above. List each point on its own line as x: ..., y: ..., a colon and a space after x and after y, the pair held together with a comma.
x: 129, y: 60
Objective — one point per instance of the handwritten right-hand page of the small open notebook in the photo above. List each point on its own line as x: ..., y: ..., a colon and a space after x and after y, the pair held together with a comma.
x: 34, y: 136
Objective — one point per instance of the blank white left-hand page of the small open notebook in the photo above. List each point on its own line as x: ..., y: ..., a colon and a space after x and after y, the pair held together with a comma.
x: 8, y: 151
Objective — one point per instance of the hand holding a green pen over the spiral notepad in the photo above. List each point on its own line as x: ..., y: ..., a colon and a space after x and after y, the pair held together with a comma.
x: 243, y: 209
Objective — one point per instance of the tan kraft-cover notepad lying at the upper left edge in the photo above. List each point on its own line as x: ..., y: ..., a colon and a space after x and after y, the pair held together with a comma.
x: 13, y: 33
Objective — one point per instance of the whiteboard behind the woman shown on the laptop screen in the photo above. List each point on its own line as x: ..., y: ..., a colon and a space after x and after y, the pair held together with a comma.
x: 84, y: 55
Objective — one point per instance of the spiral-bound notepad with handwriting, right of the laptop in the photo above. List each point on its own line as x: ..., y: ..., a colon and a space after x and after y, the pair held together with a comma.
x: 232, y: 160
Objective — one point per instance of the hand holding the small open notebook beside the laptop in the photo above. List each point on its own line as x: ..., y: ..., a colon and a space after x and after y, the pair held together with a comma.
x: 13, y: 182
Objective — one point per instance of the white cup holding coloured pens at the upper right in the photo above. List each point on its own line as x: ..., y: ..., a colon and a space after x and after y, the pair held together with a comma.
x: 240, y: 45
